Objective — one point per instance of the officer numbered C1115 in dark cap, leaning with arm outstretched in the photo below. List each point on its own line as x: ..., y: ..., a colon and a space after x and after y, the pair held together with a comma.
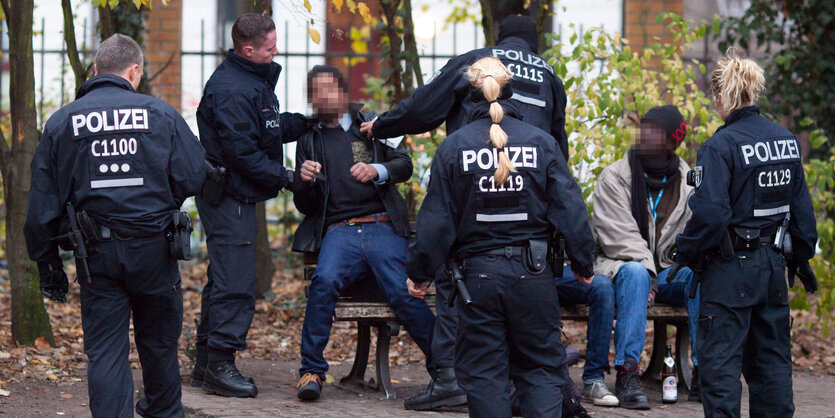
x: 538, y: 97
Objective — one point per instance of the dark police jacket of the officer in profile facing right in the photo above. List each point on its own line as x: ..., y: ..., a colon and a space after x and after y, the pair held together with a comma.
x: 241, y: 127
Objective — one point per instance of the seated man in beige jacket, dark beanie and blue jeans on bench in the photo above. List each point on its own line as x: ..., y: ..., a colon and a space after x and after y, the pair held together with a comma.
x: 640, y: 205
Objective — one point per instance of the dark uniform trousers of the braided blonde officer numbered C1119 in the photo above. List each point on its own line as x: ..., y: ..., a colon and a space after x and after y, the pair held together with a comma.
x: 511, y: 331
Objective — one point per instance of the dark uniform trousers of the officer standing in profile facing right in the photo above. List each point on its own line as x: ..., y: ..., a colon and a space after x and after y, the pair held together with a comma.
x: 228, y: 300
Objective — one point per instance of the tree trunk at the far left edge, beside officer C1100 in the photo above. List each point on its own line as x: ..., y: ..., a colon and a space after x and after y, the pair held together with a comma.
x: 29, y: 317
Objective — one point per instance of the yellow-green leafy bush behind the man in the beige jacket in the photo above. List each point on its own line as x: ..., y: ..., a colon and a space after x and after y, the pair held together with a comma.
x: 609, y: 86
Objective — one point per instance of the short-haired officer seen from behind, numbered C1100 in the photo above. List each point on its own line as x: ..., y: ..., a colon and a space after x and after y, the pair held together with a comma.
x: 125, y: 162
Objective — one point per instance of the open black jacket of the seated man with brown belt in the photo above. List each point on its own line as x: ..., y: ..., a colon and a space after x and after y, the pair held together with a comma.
x: 311, y: 198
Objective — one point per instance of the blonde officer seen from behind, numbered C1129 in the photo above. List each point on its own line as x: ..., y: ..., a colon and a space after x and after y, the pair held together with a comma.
x: 751, y: 200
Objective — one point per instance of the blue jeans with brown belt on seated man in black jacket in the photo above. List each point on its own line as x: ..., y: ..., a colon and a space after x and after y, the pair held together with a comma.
x: 349, y: 253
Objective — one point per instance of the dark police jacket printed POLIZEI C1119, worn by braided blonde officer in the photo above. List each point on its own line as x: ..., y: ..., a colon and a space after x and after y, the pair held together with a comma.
x: 465, y: 212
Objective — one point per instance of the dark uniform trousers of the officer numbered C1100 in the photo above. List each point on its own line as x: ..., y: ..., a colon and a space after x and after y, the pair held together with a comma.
x: 137, y: 276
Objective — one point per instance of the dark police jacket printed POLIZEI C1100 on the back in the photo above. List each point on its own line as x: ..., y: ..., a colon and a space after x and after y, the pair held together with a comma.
x: 127, y: 158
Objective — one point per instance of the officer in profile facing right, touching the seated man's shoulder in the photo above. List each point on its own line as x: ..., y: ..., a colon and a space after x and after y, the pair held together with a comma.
x: 243, y: 132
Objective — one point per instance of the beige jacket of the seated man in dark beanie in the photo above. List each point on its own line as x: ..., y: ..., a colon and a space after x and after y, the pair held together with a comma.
x: 618, y: 237
